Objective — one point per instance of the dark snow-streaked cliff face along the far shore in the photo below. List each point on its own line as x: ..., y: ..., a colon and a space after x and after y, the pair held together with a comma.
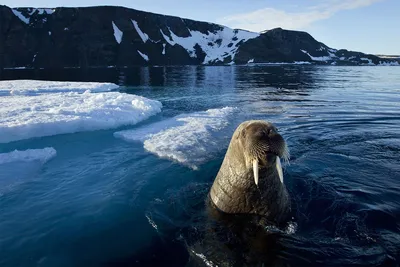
x: 116, y: 36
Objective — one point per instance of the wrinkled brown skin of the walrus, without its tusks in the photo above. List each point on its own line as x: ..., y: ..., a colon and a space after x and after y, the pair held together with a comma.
x: 234, y: 190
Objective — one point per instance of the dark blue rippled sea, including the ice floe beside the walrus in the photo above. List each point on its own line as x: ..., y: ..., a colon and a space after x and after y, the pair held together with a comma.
x: 135, y: 195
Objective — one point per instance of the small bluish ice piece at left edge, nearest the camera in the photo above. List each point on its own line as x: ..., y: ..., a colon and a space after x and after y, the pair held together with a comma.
x: 42, y: 155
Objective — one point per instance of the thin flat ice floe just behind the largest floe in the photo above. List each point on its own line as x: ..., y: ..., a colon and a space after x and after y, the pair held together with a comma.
x: 34, y: 87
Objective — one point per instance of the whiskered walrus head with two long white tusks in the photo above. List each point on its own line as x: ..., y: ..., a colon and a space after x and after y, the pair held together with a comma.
x: 262, y: 146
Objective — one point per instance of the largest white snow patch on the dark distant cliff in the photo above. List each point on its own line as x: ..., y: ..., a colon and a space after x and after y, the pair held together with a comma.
x: 217, y: 45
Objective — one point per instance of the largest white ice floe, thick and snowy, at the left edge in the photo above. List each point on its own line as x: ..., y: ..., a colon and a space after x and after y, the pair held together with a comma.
x: 26, y: 117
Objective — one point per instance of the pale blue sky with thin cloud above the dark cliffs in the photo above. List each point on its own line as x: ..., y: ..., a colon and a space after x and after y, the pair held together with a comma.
x: 369, y: 26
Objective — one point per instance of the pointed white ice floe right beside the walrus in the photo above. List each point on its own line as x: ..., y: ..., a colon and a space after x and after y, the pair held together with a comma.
x: 190, y: 139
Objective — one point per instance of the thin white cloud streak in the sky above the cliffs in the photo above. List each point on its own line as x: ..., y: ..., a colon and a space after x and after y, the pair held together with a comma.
x: 268, y: 18
